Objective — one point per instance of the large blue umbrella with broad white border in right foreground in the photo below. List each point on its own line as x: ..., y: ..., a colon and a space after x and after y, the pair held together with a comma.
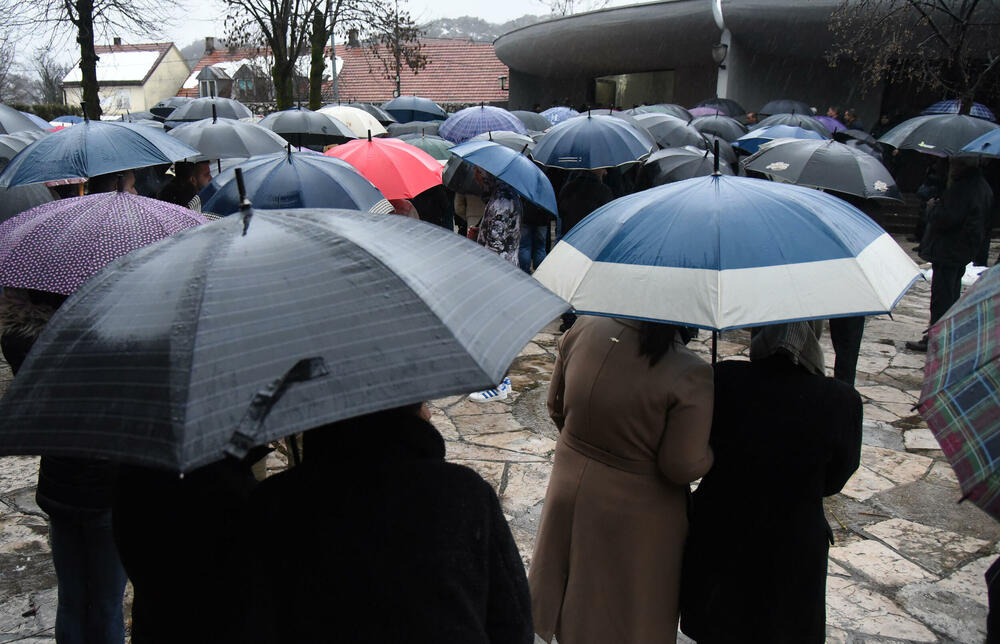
x: 725, y: 252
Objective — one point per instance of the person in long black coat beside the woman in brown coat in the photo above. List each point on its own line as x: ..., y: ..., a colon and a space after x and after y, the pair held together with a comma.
x: 784, y: 436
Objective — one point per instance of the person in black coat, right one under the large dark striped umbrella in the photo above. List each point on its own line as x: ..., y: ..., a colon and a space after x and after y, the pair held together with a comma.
x: 375, y: 538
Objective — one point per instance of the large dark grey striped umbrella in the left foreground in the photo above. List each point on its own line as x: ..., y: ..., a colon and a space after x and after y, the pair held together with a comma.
x: 252, y: 328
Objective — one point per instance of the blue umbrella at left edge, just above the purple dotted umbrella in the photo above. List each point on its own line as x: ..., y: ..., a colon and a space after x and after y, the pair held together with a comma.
x: 93, y: 148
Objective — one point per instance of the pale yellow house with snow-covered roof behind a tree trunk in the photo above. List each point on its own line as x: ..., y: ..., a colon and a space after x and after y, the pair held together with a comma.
x: 131, y: 78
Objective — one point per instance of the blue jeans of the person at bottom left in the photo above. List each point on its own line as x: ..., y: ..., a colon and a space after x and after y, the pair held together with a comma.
x: 91, y: 578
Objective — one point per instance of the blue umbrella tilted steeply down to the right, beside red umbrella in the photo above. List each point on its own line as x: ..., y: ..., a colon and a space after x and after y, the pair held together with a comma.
x: 511, y: 167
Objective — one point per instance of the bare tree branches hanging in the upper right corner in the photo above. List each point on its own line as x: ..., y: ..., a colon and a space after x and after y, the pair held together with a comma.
x: 944, y: 45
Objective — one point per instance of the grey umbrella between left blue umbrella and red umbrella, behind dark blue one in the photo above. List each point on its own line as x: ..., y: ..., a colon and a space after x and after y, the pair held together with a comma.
x: 228, y: 138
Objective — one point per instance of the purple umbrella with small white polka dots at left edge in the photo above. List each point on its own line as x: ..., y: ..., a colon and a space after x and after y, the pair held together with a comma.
x: 58, y: 246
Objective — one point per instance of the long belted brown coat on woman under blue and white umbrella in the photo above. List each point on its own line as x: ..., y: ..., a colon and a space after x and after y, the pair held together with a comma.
x: 607, y: 560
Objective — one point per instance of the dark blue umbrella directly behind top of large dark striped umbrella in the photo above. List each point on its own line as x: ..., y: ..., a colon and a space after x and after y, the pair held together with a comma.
x: 292, y: 180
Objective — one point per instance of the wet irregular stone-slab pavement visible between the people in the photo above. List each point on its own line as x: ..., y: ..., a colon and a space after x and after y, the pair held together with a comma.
x: 908, y: 562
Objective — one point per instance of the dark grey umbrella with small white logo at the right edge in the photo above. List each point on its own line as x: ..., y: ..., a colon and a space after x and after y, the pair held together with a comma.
x: 942, y: 135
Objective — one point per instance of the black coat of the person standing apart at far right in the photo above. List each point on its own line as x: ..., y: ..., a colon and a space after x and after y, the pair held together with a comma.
x: 956, y: 224
